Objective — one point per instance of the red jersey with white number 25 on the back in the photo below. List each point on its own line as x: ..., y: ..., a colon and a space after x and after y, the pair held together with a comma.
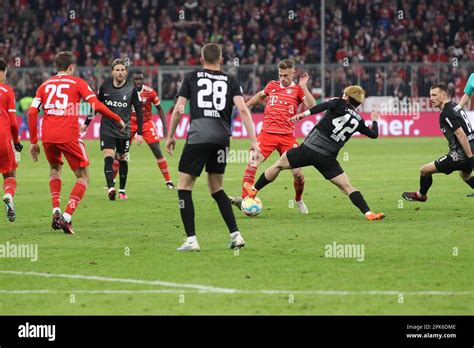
x: 60, y: 97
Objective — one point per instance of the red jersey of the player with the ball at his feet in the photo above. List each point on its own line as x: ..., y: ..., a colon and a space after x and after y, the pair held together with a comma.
x: 282, y: 104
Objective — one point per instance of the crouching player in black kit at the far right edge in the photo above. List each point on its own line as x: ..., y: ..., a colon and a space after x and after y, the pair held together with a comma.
x: 457, y: 129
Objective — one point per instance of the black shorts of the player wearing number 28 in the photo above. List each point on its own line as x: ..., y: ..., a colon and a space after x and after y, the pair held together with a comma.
x: 196, y: 156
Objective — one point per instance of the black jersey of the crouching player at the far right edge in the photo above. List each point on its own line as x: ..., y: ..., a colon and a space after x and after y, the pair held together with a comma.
x: 451, y: 118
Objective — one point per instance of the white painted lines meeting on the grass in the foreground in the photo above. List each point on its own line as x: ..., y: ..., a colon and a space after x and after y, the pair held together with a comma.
x: 207, y: 289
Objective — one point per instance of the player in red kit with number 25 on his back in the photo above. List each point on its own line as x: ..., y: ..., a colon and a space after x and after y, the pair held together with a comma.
x: 60, y: 98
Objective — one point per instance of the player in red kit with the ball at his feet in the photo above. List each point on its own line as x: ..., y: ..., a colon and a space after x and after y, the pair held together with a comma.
x: 283, y: 99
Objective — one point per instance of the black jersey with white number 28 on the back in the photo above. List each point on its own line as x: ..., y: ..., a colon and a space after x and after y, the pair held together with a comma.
x: 210, y: 94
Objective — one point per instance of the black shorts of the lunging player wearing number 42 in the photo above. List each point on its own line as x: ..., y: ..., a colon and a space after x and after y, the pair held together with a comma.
x: 303, y: 156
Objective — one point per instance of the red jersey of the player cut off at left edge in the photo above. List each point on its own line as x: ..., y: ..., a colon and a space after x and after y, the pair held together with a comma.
x: 8, y: 124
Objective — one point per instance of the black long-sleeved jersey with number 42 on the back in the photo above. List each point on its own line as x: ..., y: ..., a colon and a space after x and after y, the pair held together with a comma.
x: 336, y: 127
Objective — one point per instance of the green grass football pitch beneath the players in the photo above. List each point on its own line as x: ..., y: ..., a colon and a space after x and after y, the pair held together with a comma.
x: 123, y: 258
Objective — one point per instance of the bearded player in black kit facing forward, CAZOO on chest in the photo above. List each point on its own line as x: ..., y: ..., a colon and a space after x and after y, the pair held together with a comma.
x: 119, y: 95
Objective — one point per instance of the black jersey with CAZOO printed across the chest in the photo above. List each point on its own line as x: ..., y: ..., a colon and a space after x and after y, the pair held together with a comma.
x: 120, y: 101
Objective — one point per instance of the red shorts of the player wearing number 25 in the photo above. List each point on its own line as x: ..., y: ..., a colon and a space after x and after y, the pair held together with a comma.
x: 74, y: 151
